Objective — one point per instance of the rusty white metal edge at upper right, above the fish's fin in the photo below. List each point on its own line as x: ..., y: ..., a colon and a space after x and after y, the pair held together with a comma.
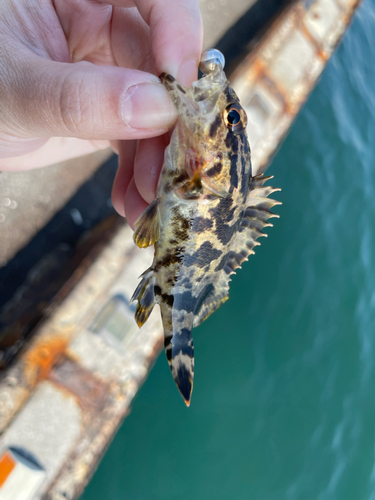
x: 277, y: 77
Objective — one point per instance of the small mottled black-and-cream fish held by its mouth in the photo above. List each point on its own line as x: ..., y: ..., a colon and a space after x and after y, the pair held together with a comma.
x: 206, y: 218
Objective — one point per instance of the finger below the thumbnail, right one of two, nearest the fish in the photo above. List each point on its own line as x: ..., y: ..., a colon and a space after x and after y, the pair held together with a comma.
x: 147, y: 165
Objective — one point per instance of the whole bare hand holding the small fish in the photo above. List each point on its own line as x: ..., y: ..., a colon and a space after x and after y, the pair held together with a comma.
x: 80, y: 75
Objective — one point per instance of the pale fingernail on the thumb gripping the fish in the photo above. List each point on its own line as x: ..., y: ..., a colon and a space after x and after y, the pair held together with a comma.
x: 147, y: 106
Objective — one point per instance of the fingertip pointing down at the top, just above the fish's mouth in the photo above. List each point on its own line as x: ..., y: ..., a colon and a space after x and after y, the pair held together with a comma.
x: 176, y: 35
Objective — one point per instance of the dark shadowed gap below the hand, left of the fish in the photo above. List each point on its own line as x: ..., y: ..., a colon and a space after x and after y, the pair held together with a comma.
x: 35, y: 280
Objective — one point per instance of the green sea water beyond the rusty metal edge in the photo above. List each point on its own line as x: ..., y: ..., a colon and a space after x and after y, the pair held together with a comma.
x: 283, y: 406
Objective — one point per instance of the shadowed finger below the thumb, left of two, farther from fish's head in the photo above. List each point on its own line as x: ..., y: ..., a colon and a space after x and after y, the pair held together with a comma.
x: 126, y: 152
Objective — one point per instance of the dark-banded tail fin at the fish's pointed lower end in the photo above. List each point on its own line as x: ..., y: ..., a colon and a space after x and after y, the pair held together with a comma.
x: 179, y: 349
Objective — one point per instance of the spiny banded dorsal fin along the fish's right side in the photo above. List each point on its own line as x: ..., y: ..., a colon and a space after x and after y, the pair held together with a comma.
x: 254, y: 220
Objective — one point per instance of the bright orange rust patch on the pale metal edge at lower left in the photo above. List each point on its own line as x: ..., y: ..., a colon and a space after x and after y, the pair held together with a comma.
x: 40, y: 359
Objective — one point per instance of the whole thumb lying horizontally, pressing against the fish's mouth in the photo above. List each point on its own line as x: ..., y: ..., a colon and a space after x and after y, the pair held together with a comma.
x: 48, y: 98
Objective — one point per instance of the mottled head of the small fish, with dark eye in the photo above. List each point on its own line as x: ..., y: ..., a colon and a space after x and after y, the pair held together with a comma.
x: 209, y: 131
